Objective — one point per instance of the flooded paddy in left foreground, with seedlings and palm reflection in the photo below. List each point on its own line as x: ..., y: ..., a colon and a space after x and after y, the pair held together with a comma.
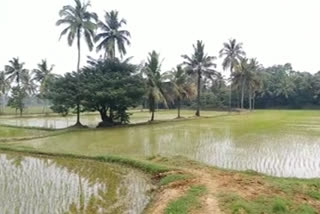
x: 41, y: 185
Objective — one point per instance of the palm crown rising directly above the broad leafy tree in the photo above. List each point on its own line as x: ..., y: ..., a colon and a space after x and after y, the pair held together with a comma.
x: 112, y: 35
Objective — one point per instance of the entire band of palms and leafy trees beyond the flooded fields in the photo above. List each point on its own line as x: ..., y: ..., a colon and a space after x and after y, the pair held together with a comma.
x: 112, y: 84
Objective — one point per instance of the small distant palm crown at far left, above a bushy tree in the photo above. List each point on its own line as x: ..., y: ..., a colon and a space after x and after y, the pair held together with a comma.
x: 14, y: 70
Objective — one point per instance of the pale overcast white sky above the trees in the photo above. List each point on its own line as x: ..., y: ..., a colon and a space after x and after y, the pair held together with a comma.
x: 273, y: 31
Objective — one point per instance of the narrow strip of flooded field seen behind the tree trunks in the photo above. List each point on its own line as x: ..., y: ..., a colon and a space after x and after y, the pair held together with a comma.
x: 92, y: 120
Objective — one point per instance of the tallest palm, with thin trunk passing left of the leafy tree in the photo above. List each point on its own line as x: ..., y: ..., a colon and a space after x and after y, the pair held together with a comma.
x: 79, y: 22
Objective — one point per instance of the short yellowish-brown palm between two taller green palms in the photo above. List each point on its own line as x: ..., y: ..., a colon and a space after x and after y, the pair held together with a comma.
x: 182, y: 87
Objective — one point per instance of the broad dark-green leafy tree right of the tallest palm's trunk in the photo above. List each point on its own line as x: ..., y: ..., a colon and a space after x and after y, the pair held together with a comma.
x: 111, y: 86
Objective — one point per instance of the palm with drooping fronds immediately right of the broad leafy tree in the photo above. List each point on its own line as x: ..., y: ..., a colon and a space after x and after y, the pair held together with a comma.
x: 154, y: 82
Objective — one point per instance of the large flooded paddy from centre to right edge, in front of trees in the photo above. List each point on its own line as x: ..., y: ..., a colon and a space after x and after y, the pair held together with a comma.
x: 279, y: 143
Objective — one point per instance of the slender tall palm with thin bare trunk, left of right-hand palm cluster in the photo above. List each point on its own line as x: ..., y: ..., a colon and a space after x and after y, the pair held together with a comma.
x: 232, y: 53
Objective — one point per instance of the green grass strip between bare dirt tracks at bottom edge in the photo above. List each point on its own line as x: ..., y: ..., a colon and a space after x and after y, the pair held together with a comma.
x: 187, y: 202
